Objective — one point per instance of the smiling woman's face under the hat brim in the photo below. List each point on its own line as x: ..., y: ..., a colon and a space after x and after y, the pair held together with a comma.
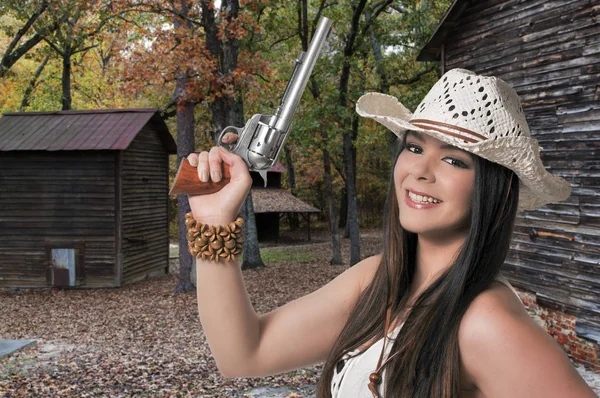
x: 434, y: 183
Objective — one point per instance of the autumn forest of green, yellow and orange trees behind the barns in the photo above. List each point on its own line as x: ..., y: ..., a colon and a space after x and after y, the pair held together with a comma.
x: 207, y: 65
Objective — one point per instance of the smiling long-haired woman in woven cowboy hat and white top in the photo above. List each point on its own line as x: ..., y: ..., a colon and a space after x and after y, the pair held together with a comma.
x: 432, y: 316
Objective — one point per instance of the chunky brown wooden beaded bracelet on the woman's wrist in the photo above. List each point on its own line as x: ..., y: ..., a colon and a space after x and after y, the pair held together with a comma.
x: 208, y: 242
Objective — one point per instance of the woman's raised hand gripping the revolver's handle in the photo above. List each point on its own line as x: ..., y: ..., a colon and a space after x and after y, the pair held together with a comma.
x: 221, y: 207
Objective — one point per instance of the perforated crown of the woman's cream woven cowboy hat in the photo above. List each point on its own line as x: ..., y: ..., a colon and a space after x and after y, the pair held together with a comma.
x: 485, y: 106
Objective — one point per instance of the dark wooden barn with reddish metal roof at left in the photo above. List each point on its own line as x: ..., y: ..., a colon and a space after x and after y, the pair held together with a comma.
x: 83, y: 197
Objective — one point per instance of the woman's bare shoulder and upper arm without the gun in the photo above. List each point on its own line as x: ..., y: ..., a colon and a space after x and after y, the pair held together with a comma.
x: 504, y: 352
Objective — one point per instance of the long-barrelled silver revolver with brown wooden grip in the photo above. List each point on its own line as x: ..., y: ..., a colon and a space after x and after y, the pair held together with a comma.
x: 260, y: 141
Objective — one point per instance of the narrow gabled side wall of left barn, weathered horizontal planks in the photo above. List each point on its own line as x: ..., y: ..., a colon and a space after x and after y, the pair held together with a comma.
x: 144, y: 179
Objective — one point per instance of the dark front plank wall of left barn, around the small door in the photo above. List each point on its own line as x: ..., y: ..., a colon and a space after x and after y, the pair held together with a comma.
x: 48, y: 197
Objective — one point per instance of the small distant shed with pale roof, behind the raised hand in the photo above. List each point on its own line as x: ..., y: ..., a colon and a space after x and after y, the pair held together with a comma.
x: 272, y: 202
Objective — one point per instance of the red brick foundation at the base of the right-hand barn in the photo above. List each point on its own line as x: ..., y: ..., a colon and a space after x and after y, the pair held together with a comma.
x: 561, y: 326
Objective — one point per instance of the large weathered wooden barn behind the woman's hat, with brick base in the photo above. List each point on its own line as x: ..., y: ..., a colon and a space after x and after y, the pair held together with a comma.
x: 549, y: 51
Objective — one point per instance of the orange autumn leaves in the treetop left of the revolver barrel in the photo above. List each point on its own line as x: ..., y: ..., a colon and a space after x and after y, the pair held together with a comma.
x: 160, y: 56
